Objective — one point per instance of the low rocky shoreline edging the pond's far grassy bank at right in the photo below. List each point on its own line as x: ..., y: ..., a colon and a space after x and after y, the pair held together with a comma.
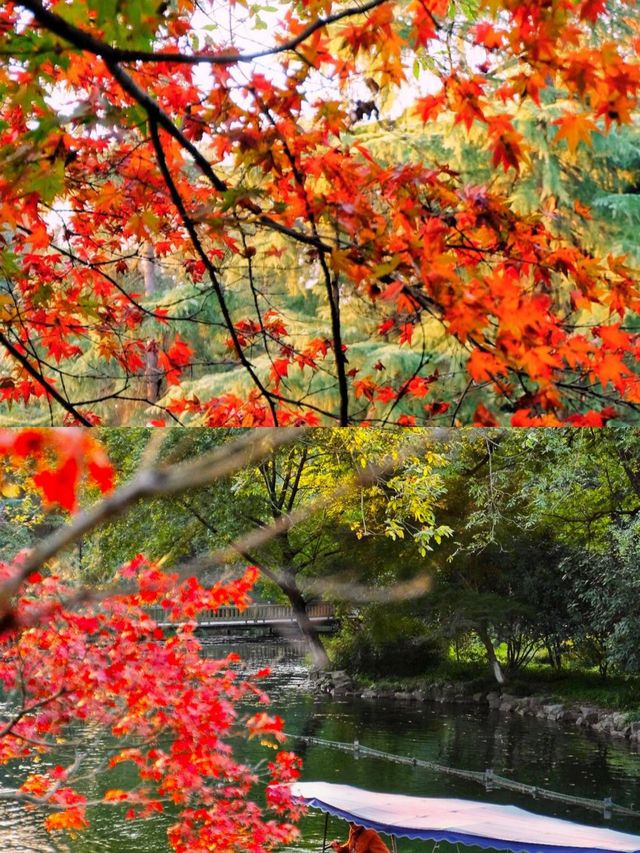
x: 602, y: 720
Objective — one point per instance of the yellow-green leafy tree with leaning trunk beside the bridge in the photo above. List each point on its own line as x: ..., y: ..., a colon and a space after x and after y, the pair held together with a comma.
x: 342, y: 489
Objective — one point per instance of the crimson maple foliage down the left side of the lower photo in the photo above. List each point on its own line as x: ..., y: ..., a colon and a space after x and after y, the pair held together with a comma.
x: 74, y: 664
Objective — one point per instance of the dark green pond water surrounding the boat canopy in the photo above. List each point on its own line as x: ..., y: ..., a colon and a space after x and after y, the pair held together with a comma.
x: 529, y: 750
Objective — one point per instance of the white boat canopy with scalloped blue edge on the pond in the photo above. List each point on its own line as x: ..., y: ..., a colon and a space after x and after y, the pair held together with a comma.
x: 476, y: 824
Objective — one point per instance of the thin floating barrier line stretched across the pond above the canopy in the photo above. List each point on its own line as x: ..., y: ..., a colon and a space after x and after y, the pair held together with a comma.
x: 488, y: 777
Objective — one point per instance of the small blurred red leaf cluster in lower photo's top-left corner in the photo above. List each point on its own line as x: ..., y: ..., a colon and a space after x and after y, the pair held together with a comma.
x: 59, y: 461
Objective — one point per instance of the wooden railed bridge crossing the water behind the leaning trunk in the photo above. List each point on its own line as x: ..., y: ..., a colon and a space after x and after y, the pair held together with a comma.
x: 270, y: 616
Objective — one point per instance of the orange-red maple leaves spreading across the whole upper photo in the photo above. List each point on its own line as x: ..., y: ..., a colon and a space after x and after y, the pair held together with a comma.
x: 412, y: 241
